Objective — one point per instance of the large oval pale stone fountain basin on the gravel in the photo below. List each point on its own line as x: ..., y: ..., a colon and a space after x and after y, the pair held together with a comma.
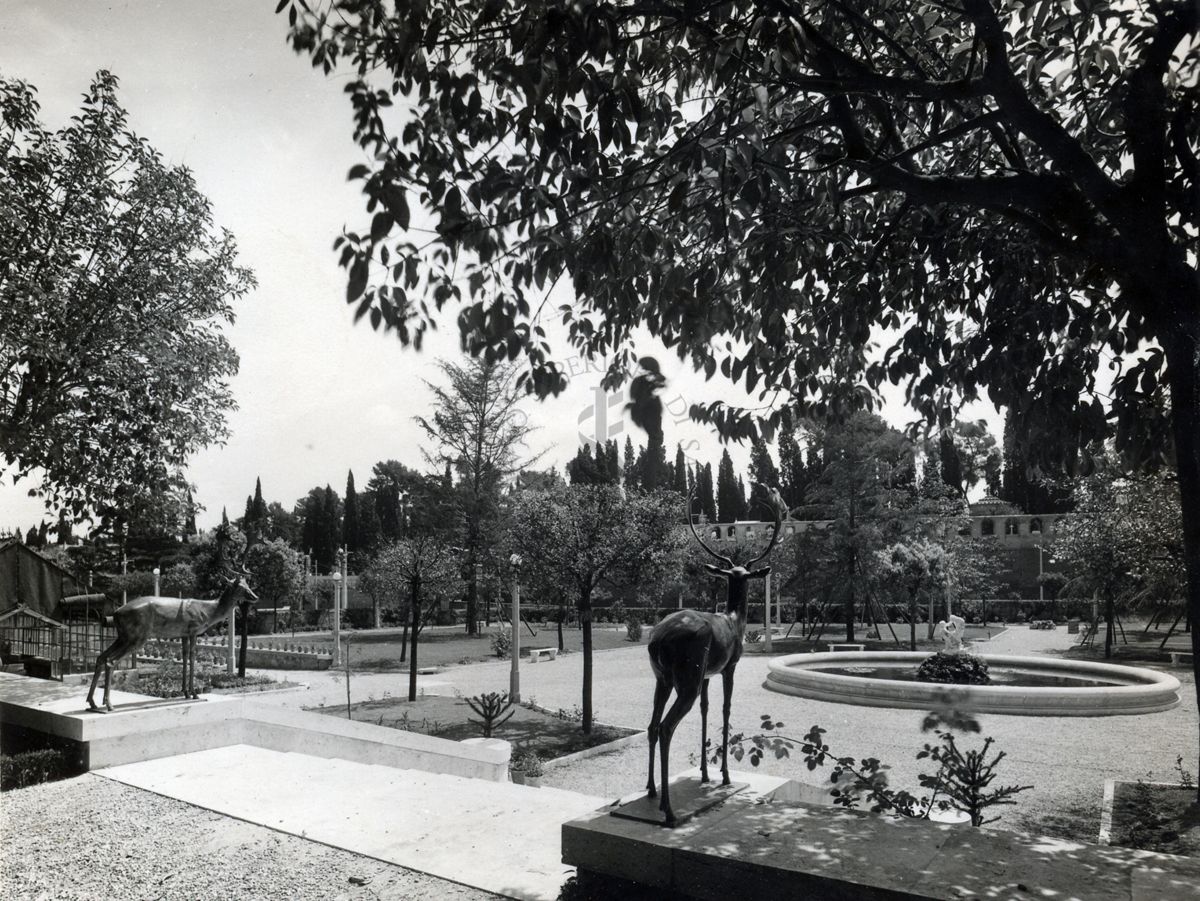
x: 1021, y: 687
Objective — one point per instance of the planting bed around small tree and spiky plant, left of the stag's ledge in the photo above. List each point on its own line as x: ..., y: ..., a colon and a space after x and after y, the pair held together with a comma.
x: 530, y: 731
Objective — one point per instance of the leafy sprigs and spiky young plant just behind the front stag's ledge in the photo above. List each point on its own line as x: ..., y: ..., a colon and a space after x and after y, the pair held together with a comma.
x: 962, y: 783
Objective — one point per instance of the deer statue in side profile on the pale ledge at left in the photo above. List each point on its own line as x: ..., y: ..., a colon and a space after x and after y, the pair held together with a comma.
x: 152, y: 617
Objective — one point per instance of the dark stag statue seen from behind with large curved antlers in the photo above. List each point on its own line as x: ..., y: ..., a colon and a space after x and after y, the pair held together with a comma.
x: 689, y: 647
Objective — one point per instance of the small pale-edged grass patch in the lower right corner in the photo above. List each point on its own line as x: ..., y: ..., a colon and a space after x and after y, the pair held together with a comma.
x: 1156, y: 818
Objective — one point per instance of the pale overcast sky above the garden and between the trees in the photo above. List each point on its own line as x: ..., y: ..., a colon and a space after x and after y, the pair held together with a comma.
x: 214, y: 86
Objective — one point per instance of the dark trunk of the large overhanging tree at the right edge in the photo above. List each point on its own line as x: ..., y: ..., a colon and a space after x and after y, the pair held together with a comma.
x: 1183, y: 349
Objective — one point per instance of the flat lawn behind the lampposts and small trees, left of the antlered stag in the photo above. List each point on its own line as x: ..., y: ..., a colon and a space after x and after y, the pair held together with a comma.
x: 379, y: 651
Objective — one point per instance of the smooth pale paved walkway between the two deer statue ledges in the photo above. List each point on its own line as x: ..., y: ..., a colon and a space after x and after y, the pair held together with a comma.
x: 495, y: 837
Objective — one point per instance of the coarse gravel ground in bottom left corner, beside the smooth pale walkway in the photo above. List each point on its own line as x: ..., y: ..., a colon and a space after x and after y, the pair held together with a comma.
x: 89, y: 839
